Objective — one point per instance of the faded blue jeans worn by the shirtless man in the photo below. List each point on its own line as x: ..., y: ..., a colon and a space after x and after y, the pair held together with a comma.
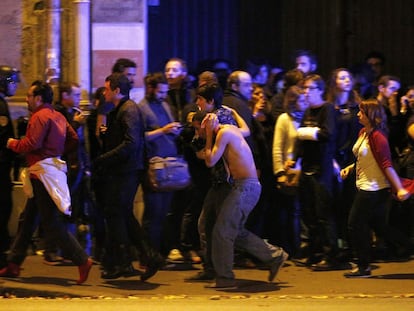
x: 229, y: 230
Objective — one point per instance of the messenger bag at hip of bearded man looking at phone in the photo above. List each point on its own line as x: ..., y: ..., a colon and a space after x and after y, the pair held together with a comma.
x: 168, y: 174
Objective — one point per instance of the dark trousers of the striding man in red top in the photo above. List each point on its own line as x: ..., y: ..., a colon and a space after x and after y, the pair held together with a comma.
x: 42, y: 205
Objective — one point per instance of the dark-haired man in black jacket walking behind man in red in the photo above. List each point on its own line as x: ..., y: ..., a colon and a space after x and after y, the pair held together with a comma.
x: 122, y: 164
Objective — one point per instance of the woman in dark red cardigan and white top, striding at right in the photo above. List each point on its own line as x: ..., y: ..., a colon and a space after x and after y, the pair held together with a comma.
x: 375, y: 176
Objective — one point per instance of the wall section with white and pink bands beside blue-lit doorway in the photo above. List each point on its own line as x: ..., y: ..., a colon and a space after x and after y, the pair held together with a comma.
x: 118, y: 31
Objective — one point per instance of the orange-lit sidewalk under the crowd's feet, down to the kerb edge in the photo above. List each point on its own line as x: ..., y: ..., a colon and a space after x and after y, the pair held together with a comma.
x: 394, y: 279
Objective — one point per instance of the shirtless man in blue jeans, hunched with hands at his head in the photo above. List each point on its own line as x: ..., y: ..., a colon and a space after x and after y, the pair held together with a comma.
x: 227, y: 142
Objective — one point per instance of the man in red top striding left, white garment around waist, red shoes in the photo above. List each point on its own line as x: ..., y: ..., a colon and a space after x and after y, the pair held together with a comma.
x: 48, y: 136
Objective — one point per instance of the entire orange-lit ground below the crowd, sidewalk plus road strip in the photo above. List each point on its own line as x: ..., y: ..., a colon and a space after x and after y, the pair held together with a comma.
x: 392, y: 283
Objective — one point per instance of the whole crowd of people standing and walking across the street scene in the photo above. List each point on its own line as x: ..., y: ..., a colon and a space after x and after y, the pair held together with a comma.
x: 284, y: 165
